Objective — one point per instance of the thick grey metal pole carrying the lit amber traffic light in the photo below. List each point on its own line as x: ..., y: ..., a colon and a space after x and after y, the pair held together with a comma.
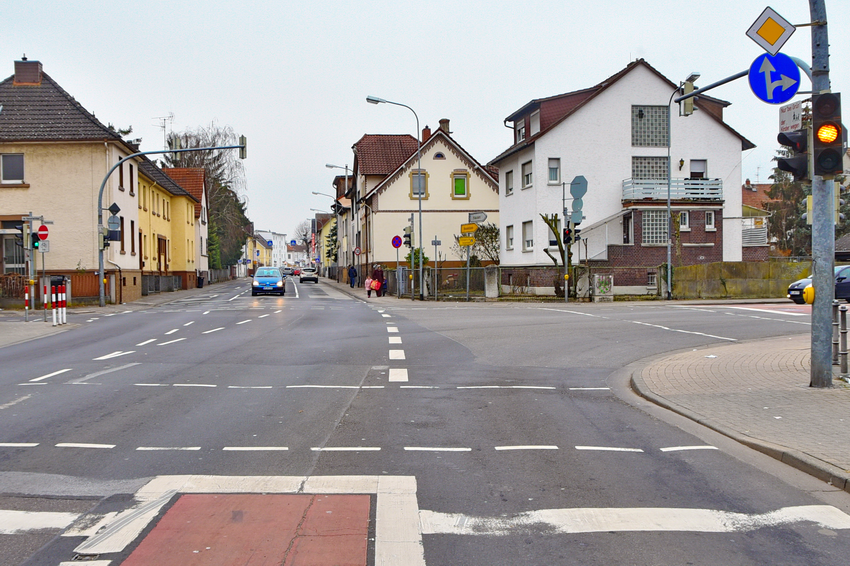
x: 823, y: 226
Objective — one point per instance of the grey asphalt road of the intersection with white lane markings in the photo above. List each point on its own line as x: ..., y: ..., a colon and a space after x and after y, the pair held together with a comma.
x: 514, y: 419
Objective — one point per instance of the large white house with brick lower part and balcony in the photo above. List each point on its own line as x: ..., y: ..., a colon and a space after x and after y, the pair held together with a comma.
x: 615, y: 134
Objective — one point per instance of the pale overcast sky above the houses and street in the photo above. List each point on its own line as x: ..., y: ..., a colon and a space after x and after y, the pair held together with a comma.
x: 293, y: 76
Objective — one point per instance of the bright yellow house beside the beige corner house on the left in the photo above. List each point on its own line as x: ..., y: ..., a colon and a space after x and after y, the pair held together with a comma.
x: 166, y: 234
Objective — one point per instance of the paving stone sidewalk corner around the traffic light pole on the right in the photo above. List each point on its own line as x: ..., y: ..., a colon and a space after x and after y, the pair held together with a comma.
x: 758, y: 393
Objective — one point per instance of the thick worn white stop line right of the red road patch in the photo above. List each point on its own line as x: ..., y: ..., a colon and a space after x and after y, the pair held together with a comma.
x: 638, y: 519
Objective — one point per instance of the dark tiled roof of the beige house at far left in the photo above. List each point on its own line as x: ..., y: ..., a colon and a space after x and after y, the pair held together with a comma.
x: 46, y: 112
